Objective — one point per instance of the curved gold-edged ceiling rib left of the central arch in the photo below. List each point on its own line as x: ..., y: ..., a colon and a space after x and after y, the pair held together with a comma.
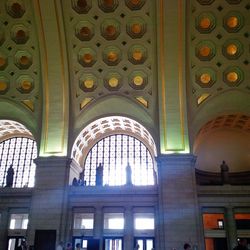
x: 55, y: 119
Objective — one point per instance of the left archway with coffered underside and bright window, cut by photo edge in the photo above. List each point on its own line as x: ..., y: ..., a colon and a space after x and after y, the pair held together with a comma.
x: 18, y: 149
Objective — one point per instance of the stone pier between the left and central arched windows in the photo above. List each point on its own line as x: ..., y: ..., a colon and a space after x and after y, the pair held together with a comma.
x: 49, y: 200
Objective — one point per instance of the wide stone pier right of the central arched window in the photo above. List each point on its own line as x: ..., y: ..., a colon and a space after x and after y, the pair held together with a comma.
x: 178, y: 207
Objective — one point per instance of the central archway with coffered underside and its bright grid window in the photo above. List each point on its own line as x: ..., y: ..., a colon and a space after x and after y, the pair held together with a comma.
x: 116, y: 142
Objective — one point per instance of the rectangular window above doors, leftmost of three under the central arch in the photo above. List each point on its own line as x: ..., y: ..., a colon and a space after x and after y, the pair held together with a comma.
x: 84, y: 221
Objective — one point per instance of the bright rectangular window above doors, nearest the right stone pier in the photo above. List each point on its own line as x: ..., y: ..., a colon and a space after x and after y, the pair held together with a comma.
x: 144, y: 221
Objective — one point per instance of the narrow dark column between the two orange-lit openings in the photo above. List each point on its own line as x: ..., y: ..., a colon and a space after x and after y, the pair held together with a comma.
x: 231, y: 227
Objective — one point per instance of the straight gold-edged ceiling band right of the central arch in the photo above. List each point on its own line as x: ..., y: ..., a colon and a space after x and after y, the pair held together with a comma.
x: 171, y: 71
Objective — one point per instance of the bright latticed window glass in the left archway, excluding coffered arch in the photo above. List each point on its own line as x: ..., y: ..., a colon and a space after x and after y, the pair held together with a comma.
x: 20, y: 153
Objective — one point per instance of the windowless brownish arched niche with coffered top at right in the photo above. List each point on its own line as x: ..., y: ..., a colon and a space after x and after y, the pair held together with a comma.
x: 224, y: 138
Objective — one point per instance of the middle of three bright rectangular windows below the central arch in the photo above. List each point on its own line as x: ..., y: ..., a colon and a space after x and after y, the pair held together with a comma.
x: 113, y: 221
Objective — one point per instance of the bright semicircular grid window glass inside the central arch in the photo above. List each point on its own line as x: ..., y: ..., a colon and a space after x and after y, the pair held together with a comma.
x: 115, y: 153
